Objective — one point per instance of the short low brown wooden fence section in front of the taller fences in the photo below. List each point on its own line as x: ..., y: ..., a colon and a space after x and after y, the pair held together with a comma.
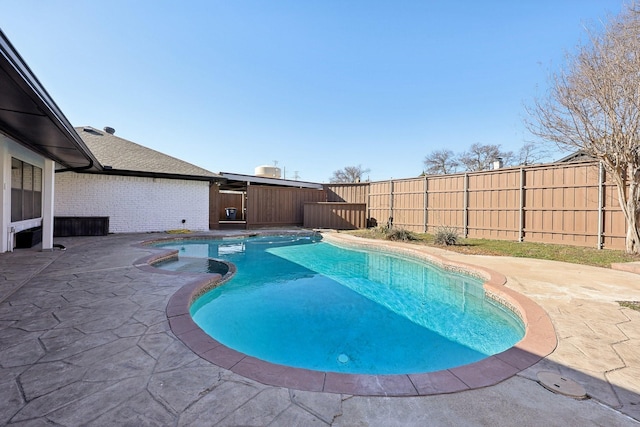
x: 335, y: 215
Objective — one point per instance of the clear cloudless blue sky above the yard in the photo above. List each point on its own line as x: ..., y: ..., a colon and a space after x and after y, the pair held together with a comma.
x: 315, y: 85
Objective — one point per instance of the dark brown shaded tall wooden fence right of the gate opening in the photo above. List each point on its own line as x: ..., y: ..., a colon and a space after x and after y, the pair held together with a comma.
x: 278, y: 206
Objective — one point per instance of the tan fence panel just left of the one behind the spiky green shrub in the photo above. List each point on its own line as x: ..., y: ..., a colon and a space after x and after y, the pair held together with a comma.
x: 408, y: 204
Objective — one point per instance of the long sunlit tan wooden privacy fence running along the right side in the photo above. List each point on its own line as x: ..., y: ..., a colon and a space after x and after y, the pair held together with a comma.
x: 572, y: 203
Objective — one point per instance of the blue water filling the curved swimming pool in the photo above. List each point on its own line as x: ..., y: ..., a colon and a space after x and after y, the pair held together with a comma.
x: 304, y: 303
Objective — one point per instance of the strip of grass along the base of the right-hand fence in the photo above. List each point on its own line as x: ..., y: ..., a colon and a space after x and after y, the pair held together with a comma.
x: 572, y: 254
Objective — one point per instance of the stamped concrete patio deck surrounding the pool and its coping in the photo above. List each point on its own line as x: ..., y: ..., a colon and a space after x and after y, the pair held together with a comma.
x: 84, y: 339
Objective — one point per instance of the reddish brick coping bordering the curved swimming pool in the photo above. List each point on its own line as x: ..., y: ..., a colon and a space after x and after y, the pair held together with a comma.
x: 539, y: 340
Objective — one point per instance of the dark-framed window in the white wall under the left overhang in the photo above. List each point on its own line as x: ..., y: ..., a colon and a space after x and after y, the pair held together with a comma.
x: 26, y: 191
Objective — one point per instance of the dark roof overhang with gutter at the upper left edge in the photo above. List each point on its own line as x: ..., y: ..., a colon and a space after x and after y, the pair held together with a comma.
x: 29, y: 115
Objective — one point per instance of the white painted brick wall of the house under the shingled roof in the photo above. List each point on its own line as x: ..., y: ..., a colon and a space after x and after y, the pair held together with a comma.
x: 134, y: 204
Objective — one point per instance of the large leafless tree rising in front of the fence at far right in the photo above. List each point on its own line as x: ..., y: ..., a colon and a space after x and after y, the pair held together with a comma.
x: 594, y: 105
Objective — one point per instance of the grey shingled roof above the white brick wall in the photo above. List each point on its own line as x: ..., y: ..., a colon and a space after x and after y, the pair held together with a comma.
x: 123, y: 157
